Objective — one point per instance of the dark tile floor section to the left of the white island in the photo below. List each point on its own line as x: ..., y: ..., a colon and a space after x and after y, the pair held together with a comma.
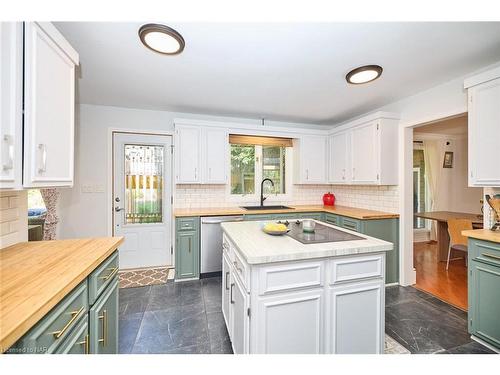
x: 173, y: 318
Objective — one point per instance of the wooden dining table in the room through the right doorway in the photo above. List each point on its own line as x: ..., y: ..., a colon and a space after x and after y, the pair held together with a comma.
x: 442, y: 217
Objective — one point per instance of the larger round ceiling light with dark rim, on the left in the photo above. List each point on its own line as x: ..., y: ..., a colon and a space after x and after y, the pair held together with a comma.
x: 161, y: 39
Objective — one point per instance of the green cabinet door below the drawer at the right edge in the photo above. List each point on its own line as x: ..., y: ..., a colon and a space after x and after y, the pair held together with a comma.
x: 485, y: 302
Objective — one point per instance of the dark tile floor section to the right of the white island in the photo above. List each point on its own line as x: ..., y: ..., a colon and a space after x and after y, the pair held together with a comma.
x: 425, y: 324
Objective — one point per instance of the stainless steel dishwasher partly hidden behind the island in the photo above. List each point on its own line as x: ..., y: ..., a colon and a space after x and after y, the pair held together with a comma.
x: 211, y: 244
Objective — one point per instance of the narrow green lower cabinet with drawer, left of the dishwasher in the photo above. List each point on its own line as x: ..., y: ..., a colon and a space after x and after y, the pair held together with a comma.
x: 187, y: 249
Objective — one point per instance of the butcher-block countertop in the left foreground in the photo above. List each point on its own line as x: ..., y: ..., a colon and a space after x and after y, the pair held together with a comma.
x: 35, y: 276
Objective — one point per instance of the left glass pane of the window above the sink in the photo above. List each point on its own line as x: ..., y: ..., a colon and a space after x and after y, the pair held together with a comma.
x: 242, y: 169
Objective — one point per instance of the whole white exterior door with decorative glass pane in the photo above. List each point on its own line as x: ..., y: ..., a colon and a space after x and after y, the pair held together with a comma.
x: 142, y: 208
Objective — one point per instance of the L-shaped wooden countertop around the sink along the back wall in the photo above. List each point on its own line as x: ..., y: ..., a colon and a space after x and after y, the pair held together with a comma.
x: 357, y: 213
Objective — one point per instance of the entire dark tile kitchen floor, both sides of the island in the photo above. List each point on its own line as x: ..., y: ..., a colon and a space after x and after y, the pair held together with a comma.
x: 186, y: 318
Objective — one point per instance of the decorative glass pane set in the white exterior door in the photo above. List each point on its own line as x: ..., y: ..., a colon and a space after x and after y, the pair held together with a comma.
x: 143, y: 184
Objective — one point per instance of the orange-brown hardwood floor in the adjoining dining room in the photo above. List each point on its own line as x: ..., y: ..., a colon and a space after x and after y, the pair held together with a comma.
x: 432, y: 277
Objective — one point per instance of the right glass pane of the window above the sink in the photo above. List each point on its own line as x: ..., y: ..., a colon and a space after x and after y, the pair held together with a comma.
x: 273, y: 167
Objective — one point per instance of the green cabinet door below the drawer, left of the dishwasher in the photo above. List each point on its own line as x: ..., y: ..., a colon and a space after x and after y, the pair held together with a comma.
x: 186, y: 255
